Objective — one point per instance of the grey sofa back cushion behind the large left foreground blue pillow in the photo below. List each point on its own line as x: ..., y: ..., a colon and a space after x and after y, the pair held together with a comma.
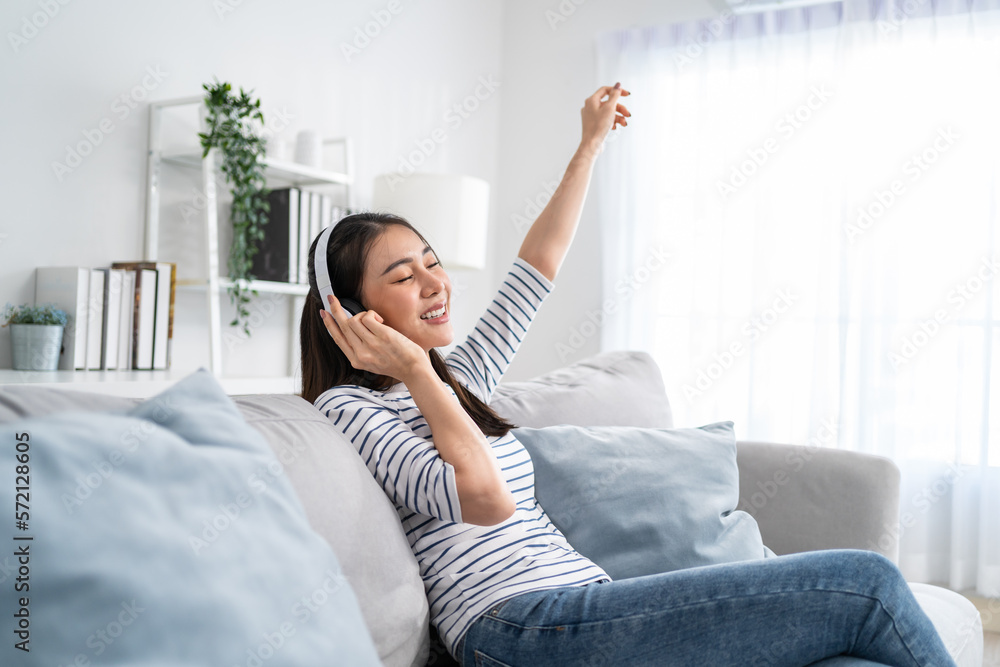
x: 342, y: 501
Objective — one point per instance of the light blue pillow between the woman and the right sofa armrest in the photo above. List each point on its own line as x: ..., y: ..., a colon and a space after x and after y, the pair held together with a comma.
x: 639, y: 501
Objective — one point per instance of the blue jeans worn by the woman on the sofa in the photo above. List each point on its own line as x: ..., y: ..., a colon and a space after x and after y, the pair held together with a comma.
x: 792, y: 610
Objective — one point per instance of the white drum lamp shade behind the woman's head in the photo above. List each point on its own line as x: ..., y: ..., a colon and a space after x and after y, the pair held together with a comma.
x: 451, y: 211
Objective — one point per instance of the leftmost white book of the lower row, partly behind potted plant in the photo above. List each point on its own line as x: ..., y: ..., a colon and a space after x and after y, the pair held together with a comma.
x: 68, y: 288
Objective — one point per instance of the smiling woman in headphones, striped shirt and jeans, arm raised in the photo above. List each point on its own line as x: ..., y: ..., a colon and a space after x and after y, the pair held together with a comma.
x: 503, y: 584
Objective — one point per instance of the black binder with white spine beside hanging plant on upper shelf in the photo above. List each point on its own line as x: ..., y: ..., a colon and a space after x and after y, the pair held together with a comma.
x: 278, y: 252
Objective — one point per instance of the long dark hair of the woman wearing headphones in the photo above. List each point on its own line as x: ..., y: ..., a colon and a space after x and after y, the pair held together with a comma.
x: 324, y: 364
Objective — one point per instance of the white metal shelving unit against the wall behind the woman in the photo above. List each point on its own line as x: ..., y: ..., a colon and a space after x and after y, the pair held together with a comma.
x: 278, y: 174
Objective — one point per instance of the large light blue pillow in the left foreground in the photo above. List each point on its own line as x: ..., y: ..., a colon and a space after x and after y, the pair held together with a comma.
x: 166, y: 535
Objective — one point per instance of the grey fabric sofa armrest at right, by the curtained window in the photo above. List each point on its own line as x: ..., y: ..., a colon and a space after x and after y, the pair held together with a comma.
x: 809, y: 498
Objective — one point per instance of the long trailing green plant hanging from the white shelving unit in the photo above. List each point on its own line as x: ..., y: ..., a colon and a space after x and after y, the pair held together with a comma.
x: 231, y: 130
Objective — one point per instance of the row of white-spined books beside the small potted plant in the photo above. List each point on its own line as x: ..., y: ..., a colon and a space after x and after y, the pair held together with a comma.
x: 119, y: 317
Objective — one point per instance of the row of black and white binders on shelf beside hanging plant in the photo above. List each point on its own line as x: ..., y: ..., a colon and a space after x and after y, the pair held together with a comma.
x: 297, y: 217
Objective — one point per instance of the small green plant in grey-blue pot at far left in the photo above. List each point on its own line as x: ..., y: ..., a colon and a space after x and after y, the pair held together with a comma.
x: 35, y: 336
